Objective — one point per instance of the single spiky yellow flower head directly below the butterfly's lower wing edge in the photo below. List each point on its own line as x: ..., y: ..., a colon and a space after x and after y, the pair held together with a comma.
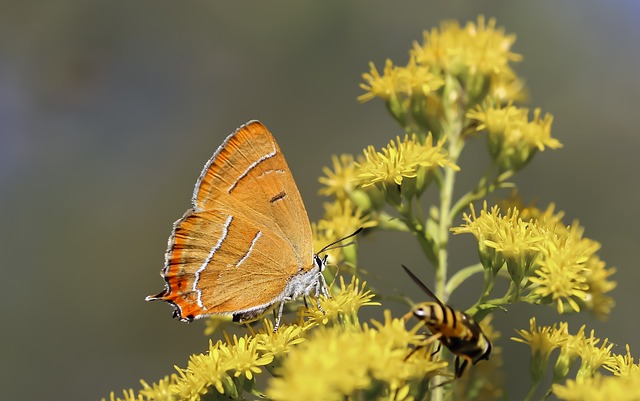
x: 242, y: 356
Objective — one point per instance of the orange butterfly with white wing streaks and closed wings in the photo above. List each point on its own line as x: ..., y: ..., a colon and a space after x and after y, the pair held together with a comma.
x: 245, y: 243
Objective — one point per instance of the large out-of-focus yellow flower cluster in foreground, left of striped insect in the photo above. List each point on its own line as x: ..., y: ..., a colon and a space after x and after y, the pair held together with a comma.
x: 337, y: 363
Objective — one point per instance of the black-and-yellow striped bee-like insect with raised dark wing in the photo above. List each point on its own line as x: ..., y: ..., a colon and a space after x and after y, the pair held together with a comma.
x: 456, y: 330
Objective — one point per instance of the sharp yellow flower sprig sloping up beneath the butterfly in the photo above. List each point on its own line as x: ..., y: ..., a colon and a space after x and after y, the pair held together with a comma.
x: 230, y: 367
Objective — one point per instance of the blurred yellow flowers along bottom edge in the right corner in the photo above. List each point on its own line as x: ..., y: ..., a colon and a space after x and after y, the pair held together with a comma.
x: 600, y: 388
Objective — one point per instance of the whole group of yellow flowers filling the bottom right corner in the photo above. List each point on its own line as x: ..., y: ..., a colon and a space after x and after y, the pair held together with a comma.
x: 594, y: 354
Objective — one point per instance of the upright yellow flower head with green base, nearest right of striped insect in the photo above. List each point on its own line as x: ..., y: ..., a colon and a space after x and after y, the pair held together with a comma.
x: 542, y: 341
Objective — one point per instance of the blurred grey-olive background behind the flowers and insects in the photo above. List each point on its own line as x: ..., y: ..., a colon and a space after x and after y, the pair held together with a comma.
x: 108, y: 111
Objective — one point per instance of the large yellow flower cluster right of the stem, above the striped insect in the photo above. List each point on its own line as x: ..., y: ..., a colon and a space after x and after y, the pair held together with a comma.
x: 555, y: 262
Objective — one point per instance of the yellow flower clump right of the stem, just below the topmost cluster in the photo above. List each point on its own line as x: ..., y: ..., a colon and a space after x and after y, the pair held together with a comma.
x: 513, y: 139
